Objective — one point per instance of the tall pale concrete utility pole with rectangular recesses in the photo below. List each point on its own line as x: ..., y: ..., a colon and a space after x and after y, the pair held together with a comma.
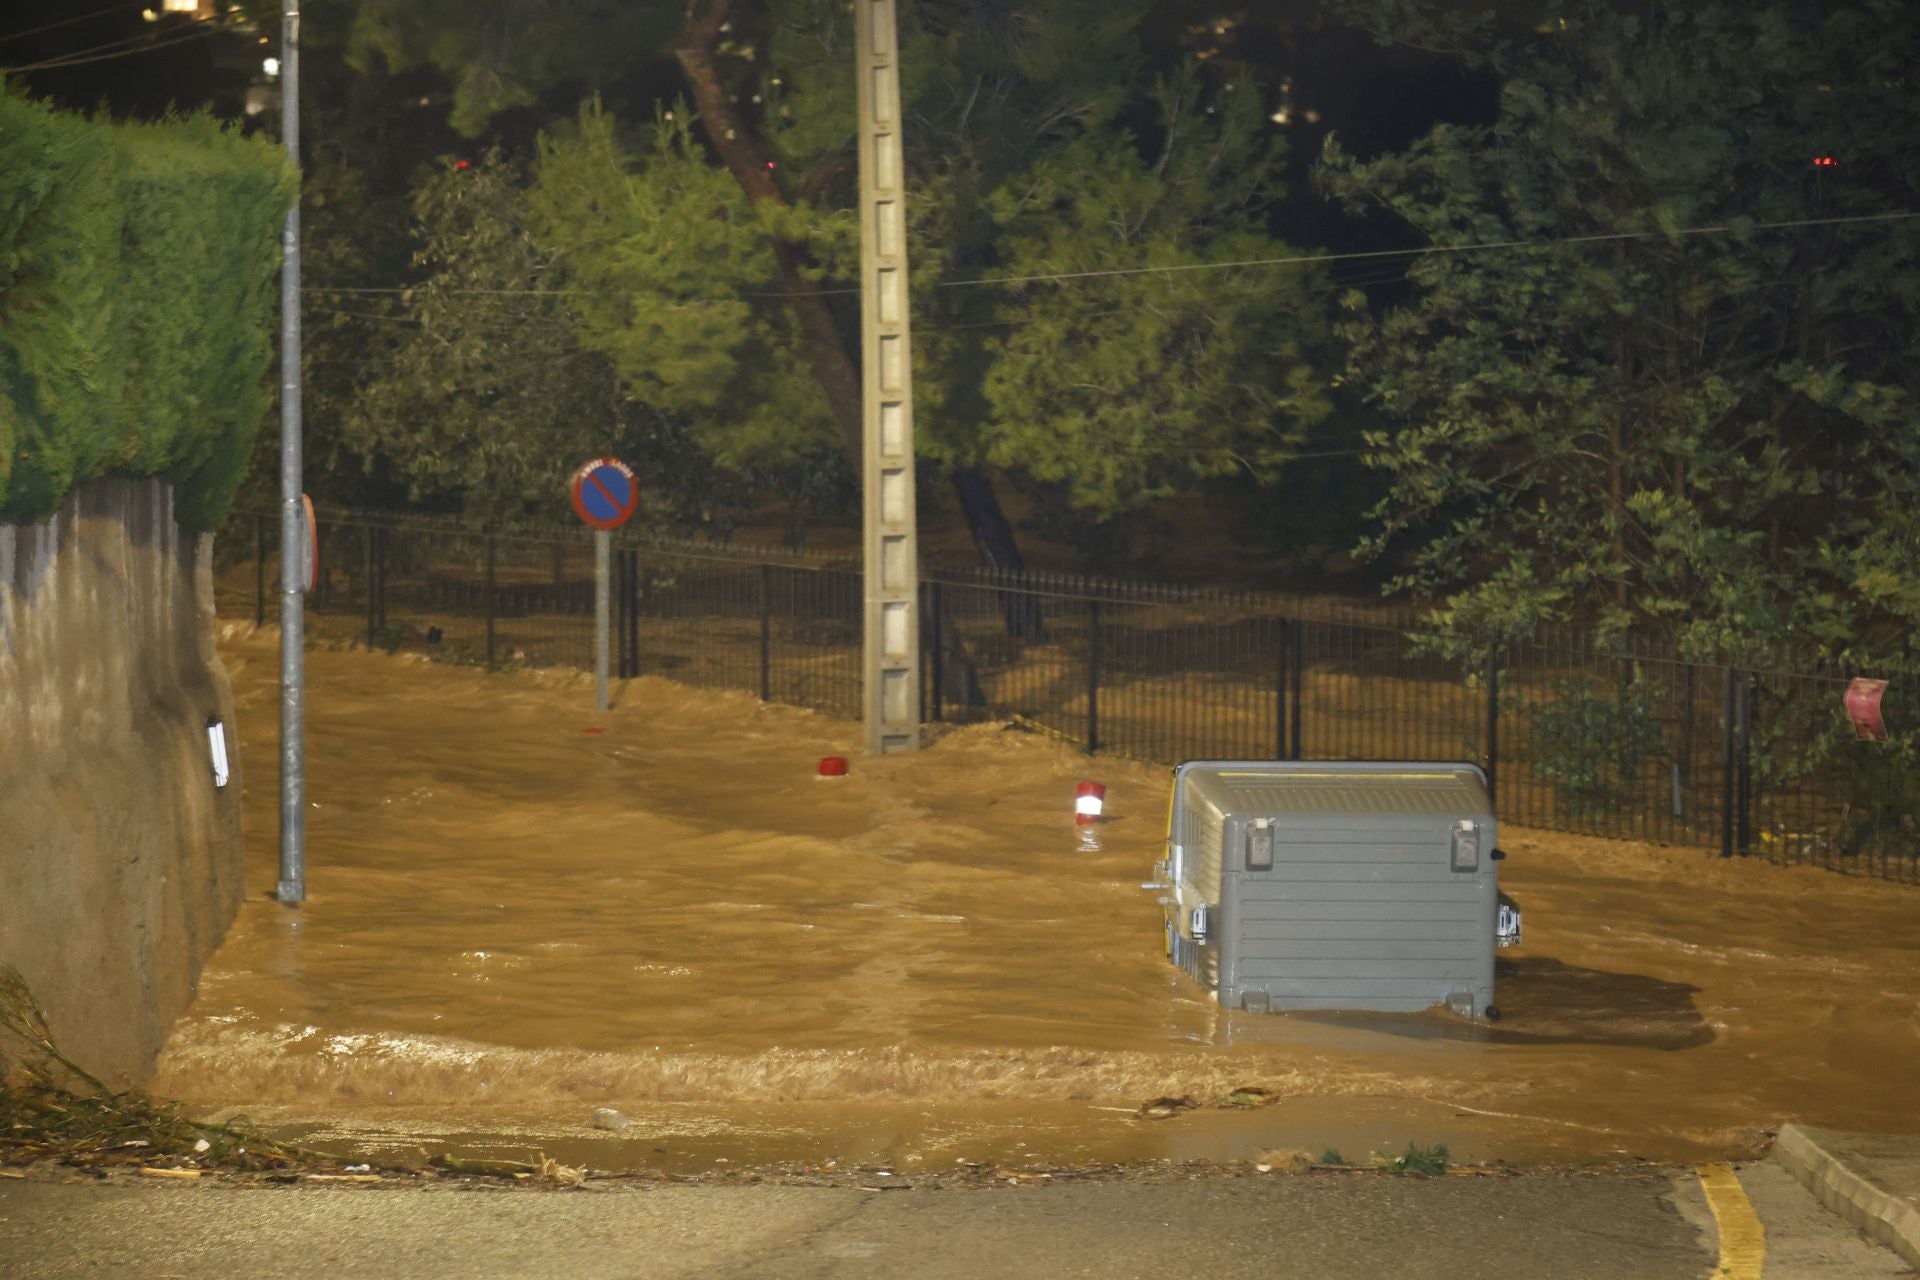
x: 892, y: 652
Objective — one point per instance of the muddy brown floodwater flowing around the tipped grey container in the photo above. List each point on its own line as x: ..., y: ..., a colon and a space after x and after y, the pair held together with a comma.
x: 523, y: 911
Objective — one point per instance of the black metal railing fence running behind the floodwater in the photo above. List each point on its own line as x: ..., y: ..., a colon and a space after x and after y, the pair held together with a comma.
x: 1573, y: 736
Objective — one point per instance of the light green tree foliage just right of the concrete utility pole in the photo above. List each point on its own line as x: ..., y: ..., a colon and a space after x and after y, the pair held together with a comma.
x: 1124, y: 389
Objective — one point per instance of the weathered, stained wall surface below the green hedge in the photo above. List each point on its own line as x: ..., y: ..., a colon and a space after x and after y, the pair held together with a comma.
x: 120, y: 861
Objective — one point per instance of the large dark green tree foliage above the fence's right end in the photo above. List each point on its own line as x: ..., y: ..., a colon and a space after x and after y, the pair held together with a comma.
x: 1689, y: 410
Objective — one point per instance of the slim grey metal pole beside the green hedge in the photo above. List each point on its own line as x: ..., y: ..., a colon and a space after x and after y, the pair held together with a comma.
x: 293, y: 886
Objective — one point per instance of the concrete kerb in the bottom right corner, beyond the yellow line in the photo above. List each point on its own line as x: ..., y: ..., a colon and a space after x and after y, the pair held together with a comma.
x: 1871, y: 1181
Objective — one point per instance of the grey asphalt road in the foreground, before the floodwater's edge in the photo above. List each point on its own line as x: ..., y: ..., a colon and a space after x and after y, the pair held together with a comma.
x: 1572, y: 1227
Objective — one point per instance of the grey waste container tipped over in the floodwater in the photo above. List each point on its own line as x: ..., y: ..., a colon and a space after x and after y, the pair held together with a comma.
x: 1335, y: 886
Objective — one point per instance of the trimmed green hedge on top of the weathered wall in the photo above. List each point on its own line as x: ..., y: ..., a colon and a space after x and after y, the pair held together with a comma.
x: 137, y: 279
